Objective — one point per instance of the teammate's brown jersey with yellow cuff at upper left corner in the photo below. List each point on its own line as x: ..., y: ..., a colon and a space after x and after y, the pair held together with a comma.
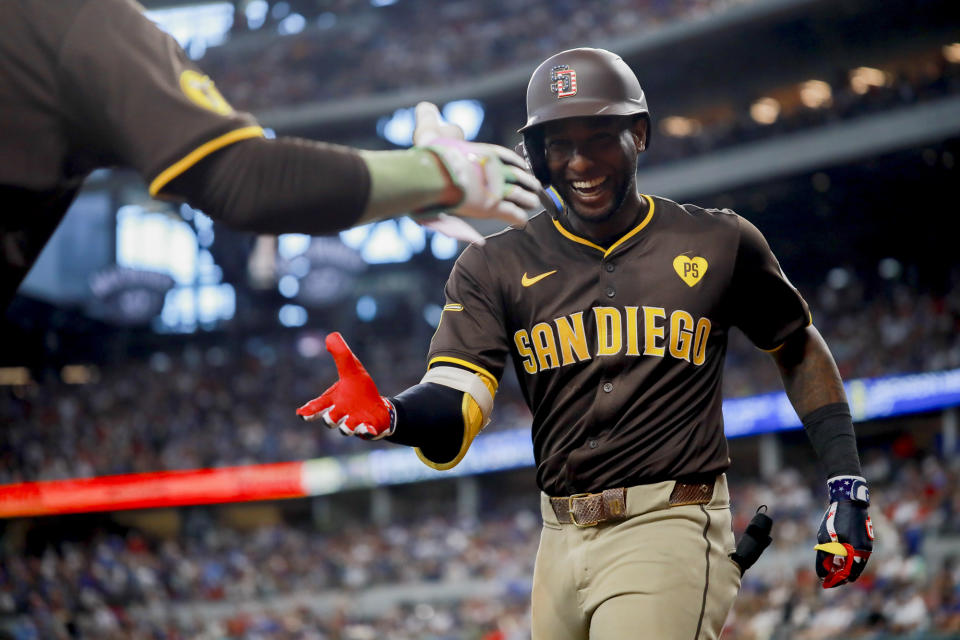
x: 87, y: 84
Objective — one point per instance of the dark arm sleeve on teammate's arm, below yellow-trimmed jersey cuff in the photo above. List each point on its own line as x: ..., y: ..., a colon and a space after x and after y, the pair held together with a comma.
x: 287, y: 185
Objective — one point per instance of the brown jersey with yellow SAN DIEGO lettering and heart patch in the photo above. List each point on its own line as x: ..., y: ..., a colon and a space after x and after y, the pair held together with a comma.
x: 619, y: 350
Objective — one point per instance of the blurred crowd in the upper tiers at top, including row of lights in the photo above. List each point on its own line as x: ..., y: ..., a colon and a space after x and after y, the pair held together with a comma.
x: 258, y: 73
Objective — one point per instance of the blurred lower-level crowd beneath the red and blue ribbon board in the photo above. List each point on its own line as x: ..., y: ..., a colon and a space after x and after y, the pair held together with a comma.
x: 264, y: 583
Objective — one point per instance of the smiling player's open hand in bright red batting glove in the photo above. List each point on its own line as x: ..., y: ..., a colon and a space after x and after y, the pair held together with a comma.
x: 353, y: 405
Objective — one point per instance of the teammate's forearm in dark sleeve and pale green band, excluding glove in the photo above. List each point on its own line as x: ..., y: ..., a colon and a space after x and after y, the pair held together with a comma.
x: 294, y: 185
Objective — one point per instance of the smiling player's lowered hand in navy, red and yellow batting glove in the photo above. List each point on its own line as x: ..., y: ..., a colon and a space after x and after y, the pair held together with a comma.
x: 846, y: 533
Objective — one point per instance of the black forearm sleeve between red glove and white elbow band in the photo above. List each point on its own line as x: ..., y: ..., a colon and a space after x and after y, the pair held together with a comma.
x: 430, y: 416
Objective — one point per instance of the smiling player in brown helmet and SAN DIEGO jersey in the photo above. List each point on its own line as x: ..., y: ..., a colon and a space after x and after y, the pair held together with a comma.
x: 615, y: 309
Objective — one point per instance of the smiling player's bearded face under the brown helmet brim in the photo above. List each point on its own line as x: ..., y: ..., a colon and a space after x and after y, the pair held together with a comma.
x: 593, y: 165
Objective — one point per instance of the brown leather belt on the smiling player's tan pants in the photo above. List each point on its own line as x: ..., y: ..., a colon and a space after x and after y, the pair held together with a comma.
x: 590, y: 509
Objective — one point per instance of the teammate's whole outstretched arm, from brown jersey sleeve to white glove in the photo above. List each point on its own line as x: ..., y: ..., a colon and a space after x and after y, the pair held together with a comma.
x: 147, y: 106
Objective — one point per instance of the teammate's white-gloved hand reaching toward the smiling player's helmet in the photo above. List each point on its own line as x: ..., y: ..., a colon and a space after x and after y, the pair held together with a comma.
x: 494, y: 181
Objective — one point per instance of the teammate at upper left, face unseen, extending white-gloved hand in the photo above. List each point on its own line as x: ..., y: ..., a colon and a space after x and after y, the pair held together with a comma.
x: 93, y: 83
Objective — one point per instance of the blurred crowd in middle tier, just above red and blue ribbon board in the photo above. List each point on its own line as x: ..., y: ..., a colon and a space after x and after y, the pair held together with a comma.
x: 234, y: 404
